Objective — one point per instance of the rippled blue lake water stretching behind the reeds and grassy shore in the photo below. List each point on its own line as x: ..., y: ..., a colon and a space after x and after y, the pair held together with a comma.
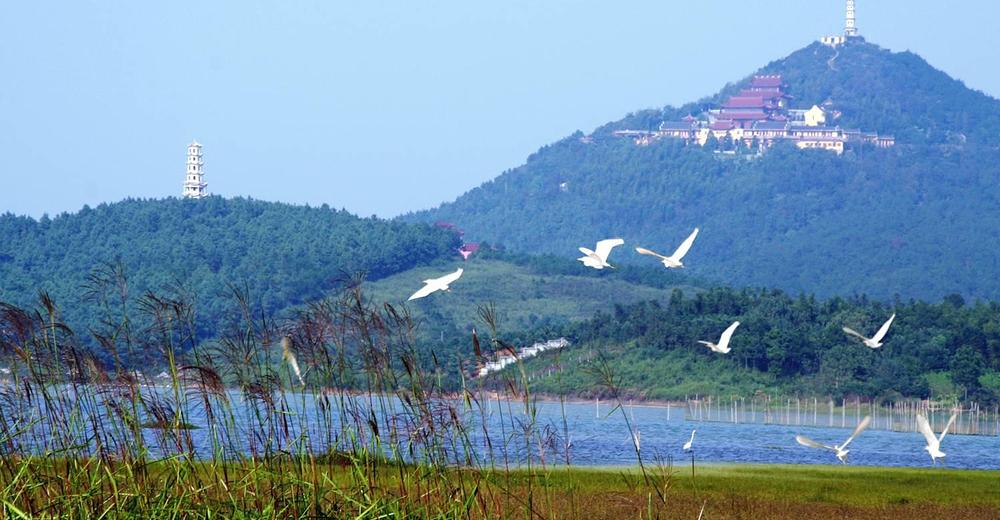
x: 494, y: 430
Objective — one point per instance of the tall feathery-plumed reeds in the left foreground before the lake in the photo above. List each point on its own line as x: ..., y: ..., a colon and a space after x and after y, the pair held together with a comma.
x: 333, y: 412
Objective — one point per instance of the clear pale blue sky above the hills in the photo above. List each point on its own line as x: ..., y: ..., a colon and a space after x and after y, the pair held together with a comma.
x: 384, y: 107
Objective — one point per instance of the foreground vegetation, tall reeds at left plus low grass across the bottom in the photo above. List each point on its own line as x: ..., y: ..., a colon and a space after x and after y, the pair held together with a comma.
x: 288, y: 444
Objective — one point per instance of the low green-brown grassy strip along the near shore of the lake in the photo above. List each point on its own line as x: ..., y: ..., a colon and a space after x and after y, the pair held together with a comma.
x: 726, y: 491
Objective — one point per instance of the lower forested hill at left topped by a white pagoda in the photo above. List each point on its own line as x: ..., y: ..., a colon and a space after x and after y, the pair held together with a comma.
x: 282, y: 254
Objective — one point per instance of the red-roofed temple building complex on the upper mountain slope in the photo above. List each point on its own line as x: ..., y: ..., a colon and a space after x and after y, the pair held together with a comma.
x: 757, y: 118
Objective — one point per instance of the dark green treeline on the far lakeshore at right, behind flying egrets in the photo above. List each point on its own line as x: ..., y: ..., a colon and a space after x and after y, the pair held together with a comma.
x: 797, y: 345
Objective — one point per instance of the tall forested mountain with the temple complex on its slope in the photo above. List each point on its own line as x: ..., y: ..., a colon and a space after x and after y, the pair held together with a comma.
x: 915, y: 220
